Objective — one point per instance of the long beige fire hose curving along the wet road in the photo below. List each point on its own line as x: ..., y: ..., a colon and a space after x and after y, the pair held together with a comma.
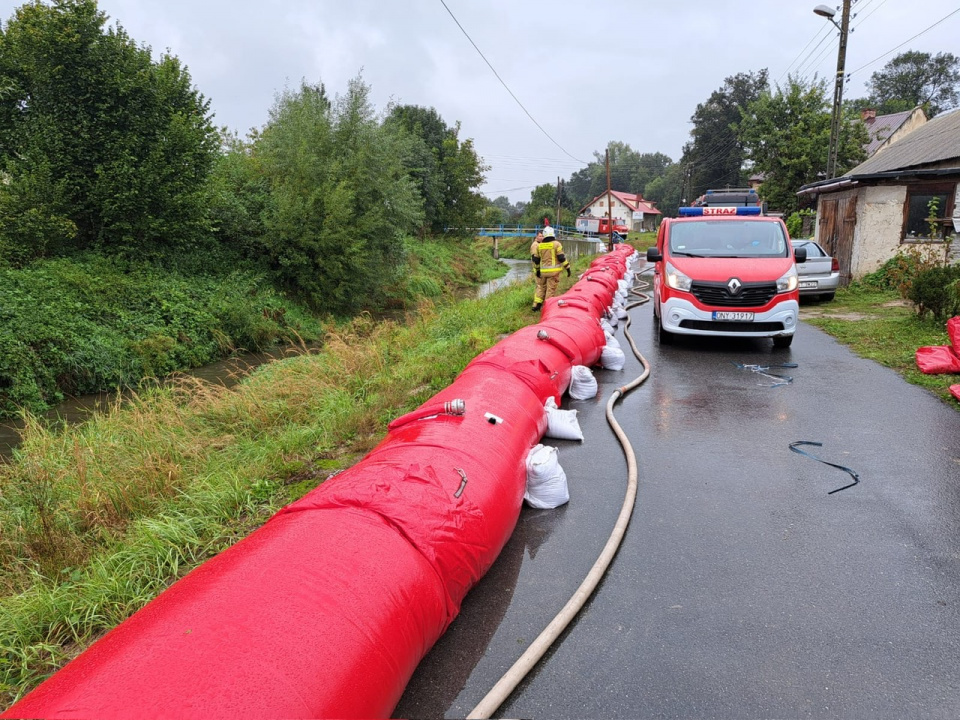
x: 508, y: 683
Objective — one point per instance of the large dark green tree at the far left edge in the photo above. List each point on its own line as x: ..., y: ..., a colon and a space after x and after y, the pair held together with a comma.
x: 100, y: 144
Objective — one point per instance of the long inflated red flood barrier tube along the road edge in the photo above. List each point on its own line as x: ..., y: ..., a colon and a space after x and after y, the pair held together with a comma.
x: 327, y: 609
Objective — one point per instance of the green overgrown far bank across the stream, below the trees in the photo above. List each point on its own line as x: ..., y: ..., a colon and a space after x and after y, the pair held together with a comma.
x: 93, y: 323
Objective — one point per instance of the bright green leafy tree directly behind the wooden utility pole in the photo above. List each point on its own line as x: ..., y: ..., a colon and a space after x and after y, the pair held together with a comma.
x: 787, y: 137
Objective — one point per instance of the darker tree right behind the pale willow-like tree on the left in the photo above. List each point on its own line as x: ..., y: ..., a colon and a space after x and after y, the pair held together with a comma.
x: 447, y: 171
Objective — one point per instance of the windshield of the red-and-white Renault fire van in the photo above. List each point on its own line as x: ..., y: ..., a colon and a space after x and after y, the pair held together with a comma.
x: 728, y: 238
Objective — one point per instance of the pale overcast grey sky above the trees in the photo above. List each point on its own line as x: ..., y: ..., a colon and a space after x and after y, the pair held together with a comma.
x: 588, y: 72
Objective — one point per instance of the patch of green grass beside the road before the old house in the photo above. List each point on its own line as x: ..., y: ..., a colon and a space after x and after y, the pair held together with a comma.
x: 879, y: 325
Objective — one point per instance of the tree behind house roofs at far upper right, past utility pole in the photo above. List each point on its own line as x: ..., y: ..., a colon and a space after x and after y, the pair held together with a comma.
x: 916, y: 78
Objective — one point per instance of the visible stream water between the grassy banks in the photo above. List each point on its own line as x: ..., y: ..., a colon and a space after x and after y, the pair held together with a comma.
x: 226, y: 372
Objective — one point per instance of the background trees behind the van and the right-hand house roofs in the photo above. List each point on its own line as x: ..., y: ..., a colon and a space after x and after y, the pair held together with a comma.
x: 748, y: 127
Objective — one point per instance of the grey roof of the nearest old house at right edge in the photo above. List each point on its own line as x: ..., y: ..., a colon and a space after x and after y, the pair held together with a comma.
x: 936, y: 141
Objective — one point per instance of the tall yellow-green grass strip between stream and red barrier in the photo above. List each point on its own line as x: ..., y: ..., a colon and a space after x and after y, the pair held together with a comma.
x: 96, y: 519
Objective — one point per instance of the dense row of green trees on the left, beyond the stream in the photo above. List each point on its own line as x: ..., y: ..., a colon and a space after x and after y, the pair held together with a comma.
x: 103, y: 149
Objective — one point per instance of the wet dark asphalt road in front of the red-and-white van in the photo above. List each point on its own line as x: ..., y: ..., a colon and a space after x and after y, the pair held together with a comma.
x: 742, y: 589
